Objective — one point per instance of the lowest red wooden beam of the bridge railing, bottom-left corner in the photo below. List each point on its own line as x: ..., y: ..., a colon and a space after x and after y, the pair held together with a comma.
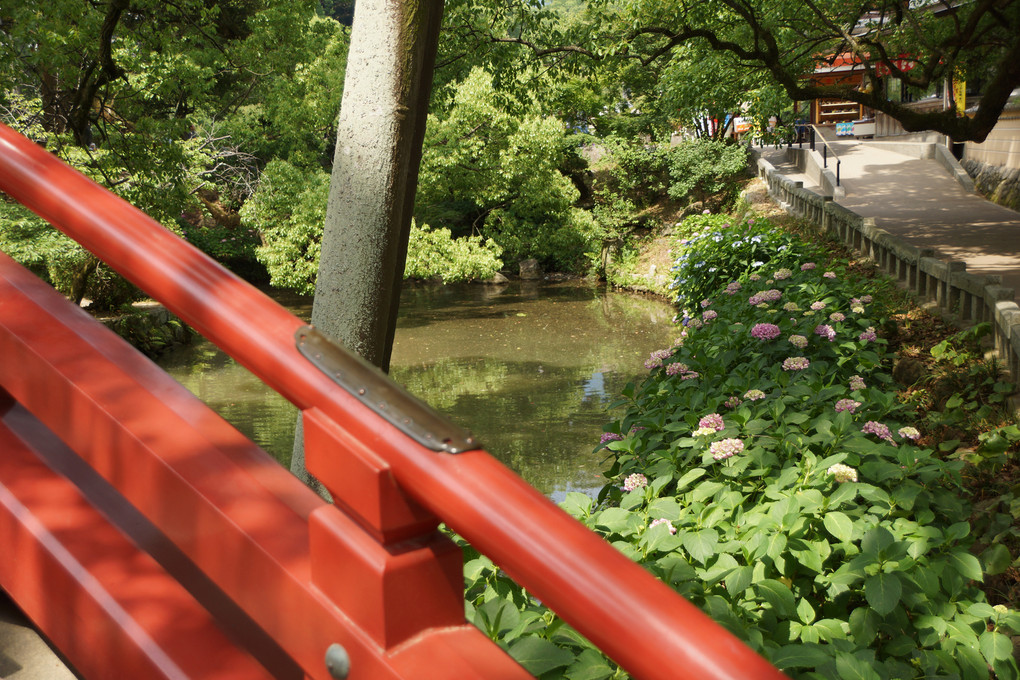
x: 106, y: 604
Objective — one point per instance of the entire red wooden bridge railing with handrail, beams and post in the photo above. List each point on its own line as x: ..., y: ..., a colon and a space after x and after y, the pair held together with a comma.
x: 148, y: 539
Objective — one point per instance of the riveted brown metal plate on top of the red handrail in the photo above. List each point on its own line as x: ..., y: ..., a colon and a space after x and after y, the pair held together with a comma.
x: 377, y: 391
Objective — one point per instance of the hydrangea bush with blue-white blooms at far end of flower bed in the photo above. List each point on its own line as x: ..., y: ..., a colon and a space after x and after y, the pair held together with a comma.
x: 711, y: 251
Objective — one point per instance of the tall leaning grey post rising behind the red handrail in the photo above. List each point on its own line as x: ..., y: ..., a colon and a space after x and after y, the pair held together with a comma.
x: 375, y: 175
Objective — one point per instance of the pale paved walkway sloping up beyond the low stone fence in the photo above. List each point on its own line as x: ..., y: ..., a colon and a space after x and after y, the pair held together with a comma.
x: 921, y: 202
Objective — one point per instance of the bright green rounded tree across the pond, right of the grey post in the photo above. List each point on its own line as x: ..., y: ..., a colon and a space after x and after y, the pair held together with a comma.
x: 487, y: 170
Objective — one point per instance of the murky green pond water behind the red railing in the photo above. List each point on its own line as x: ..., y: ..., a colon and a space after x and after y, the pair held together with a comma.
x: 530, y: 369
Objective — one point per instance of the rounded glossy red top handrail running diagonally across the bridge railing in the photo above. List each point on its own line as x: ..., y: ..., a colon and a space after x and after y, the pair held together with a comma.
x: 641, y: 623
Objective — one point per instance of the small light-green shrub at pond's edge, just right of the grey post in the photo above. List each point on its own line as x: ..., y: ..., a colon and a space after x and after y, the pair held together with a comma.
x: 434, y: 254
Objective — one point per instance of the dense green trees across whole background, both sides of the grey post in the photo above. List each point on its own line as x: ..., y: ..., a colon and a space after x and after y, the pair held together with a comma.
x: 219, y: 118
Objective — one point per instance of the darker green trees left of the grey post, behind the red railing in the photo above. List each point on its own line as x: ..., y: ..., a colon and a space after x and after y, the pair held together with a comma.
x: 178, y: 107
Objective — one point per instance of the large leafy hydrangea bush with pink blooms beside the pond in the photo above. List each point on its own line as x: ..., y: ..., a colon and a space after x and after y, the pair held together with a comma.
x: 772, y: 479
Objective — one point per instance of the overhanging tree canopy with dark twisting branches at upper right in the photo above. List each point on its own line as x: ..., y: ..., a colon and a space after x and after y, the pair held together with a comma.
x: 917, y: 44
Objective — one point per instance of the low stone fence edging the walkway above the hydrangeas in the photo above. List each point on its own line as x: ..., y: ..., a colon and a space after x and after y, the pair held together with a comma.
x: 972, y: 299
